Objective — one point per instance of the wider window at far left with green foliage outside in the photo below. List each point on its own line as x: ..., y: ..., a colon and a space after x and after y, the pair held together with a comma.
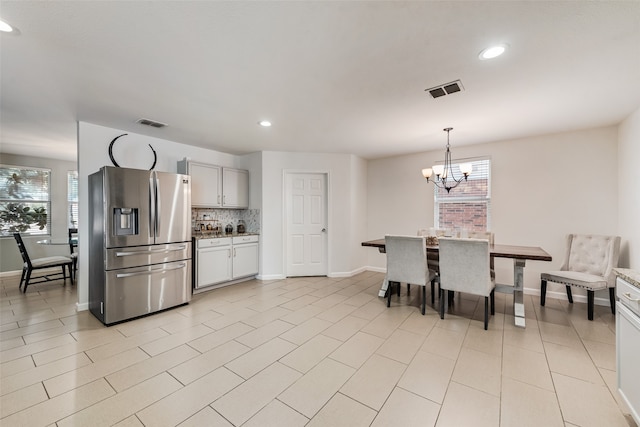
x: 25, y: 200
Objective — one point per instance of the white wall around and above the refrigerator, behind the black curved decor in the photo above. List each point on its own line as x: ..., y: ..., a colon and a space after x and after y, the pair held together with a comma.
x: 129, y: 151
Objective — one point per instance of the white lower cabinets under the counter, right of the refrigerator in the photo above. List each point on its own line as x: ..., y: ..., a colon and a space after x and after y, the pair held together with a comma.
x: 221, y: 260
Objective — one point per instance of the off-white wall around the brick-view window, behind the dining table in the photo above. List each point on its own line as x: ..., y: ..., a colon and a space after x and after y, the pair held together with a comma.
x: 542, y: 189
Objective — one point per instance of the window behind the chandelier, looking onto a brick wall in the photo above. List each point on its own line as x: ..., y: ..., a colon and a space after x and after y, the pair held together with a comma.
x: 468, y: 206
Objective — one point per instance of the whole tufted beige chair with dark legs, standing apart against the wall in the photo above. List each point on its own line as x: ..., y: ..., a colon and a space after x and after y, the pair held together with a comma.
x: 588, y: 264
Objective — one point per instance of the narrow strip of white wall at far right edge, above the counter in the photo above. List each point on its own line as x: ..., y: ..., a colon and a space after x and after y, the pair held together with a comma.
x: 628, y: 188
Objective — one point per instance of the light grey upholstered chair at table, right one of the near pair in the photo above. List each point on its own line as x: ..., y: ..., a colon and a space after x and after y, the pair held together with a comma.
x: 464, y: 267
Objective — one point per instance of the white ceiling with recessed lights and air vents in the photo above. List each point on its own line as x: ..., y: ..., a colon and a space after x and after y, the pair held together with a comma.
x: 339, y: 77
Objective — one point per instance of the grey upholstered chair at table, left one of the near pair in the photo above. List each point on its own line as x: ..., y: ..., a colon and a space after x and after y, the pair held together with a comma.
x: 407, y: 263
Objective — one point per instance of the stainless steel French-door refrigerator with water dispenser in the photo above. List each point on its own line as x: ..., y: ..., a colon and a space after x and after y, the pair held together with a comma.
x: 139, y: 243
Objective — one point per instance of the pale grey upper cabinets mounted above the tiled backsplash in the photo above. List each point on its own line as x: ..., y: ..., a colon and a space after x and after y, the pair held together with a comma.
x: 216, y: 187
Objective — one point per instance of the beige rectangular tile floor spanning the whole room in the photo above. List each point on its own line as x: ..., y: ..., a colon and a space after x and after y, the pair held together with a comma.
x: 305, y: 351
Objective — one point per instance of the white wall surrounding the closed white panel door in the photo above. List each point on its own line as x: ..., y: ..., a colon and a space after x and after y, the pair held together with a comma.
x: 343, y: 190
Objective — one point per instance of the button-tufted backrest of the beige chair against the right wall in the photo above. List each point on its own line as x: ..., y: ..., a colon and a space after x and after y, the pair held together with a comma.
x: 592, y: 254
